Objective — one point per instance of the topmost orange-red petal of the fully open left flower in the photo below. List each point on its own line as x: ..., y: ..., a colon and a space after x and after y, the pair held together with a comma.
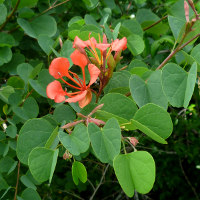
x: 79, y: 59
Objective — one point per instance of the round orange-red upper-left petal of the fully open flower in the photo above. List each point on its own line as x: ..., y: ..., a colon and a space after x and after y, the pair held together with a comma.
x: 59, y: 67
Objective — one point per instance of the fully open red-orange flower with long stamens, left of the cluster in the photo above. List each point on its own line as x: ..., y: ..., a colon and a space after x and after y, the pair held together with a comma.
x: 59, y: 68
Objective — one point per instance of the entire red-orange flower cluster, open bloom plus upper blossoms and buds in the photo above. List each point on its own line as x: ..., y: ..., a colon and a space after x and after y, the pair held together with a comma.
x: 98, y: 66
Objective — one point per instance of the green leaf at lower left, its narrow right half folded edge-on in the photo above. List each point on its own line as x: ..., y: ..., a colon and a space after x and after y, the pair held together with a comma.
x: 42, y: 163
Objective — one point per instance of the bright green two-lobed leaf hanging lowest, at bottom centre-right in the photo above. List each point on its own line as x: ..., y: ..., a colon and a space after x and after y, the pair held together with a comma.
x: 135, y: 171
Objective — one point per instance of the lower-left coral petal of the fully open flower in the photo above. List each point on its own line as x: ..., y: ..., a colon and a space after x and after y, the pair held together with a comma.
x: 55, y: 91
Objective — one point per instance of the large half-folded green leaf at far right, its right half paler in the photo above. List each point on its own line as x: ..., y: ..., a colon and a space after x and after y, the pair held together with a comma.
x: 178, y: 85
